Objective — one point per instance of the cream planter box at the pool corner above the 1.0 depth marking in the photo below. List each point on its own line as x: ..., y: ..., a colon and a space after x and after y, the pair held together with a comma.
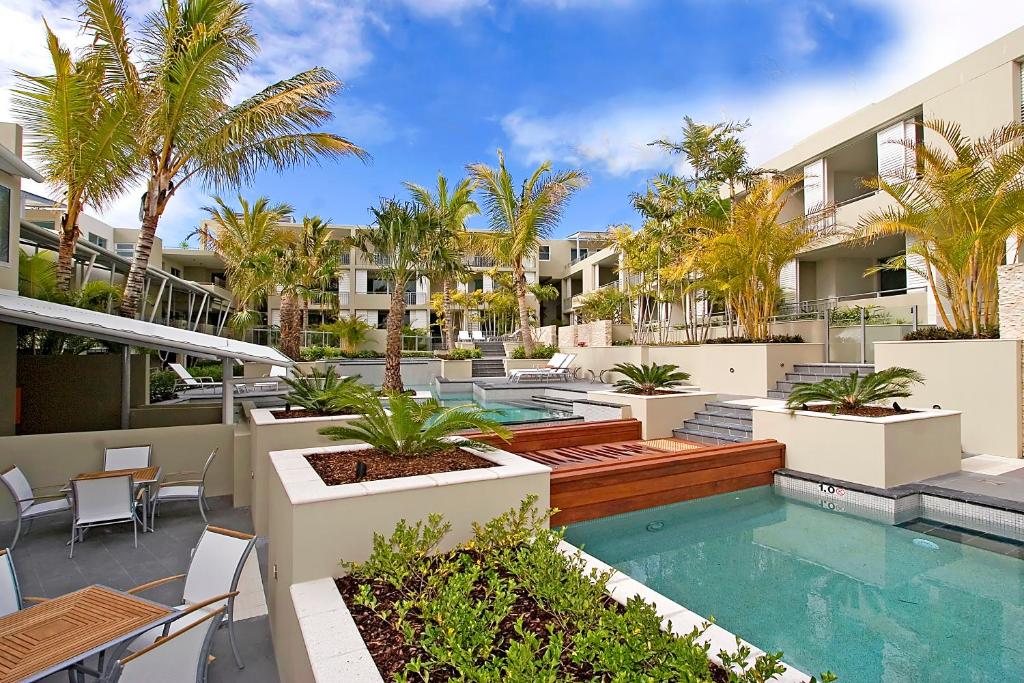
x: 873, y: 452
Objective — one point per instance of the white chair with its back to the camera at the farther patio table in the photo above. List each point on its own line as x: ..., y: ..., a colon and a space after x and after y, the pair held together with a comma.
x: 102, y: 501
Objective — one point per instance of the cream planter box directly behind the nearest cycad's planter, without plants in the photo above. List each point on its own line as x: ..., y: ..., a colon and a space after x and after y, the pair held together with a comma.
x: 268, y: 434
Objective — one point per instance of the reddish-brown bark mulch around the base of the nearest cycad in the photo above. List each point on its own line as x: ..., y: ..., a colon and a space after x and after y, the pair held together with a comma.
x: 339, y: 467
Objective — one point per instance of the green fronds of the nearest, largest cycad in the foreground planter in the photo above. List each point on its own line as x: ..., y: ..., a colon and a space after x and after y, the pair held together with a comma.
x: 407, y: 429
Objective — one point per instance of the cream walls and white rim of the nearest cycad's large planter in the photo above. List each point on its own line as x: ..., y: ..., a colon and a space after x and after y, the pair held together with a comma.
x: 313, y: 527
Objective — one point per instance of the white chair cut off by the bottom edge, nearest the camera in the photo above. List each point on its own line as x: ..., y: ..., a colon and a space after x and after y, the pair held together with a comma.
x: 181, y: 658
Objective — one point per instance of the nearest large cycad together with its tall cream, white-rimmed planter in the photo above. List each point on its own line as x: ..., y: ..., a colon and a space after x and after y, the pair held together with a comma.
x: 329, y: 502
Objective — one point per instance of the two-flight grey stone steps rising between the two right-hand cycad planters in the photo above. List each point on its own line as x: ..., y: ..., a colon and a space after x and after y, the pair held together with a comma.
x: 723, y: 422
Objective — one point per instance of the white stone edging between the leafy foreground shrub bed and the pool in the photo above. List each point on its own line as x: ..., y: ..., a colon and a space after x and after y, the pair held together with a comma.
x: 675, y: 618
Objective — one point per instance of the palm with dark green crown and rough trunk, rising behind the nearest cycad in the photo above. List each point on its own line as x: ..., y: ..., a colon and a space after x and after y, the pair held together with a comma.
x: 399, y: 243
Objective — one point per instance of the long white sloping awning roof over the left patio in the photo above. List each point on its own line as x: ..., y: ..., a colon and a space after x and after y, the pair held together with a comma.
x: 38, y: 314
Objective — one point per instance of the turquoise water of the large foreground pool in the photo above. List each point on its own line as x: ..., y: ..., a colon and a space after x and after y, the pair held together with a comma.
x: 831, y: 591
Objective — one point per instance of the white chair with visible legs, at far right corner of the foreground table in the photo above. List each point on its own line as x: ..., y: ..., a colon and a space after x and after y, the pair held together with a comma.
x: 216, y: 568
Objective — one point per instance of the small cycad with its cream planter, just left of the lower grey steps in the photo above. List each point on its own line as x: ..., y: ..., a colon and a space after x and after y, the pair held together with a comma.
x: 657, y: 395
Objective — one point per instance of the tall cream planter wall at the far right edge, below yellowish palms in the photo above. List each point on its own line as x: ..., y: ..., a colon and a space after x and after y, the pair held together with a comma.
x: 979, y: 377
